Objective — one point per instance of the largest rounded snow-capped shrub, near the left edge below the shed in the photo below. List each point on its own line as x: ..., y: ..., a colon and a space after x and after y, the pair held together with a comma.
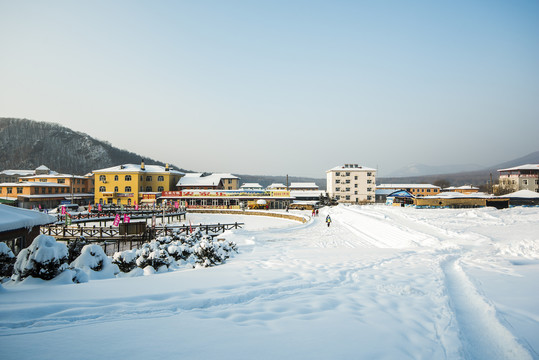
x: 44, y: 258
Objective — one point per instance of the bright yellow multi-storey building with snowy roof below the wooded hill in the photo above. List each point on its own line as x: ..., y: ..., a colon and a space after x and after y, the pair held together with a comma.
x: 131, y: 184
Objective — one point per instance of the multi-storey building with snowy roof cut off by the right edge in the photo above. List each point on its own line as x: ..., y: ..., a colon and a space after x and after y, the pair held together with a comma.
x: 523, y: 177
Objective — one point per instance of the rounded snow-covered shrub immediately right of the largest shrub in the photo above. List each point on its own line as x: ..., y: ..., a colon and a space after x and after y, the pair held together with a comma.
x: 95, y: 263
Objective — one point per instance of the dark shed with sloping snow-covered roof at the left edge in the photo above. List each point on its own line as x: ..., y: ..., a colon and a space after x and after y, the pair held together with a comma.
x: 19, y: 227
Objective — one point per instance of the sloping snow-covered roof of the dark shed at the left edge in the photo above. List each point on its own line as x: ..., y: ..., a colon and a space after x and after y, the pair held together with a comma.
x: 12, y: 218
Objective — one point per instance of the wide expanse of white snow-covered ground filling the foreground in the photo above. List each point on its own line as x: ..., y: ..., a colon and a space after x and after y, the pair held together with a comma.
x: 380, y: 283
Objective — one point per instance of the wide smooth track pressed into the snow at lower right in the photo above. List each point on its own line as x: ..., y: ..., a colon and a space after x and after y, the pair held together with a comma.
x: 482, y: 334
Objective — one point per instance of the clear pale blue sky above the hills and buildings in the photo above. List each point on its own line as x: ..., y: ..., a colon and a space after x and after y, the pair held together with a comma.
x: 280, y: 87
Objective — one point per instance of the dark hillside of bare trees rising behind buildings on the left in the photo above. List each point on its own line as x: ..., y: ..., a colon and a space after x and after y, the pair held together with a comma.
x: 27, y: 144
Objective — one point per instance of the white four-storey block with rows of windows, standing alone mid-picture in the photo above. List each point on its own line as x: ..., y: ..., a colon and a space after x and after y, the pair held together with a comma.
x: 352, y: 184
